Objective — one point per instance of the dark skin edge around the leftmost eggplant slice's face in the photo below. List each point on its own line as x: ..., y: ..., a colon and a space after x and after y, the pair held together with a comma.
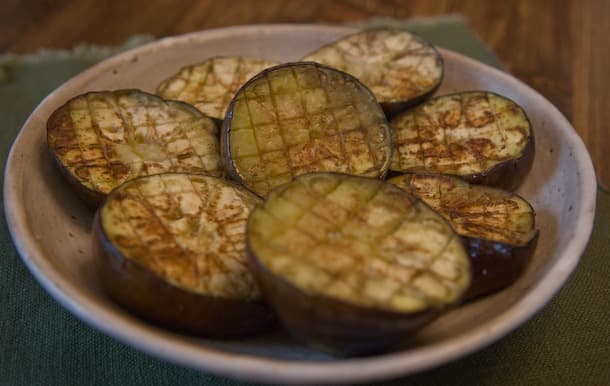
x: 93, y: 198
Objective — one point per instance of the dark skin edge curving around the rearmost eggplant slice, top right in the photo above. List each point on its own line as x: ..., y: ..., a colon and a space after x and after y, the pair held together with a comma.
x: 396, y: 107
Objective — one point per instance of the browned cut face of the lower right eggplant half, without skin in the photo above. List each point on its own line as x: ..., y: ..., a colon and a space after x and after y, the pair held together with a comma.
x: 474, y: 211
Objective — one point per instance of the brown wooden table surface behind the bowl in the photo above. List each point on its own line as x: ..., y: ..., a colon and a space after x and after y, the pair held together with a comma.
x: 557, y: 47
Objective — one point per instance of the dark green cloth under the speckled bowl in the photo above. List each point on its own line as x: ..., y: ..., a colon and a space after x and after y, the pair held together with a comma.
x: 568, y: 343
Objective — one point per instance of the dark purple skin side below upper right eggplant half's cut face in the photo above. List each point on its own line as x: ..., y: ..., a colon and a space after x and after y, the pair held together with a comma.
x: 507, y: 175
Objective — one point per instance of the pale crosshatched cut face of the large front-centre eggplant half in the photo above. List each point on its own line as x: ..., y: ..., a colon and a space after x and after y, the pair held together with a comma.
x: 361, y: 241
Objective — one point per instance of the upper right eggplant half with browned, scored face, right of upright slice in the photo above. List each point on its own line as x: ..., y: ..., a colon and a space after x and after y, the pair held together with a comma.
x: 479, y: 136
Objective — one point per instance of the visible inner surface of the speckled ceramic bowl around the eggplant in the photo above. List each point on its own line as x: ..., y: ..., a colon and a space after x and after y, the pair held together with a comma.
x: 60, y: 223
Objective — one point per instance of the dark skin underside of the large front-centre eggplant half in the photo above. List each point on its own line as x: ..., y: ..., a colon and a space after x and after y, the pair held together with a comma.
x: 334, y: 326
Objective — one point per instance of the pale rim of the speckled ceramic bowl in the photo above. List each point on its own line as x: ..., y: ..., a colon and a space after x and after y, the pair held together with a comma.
x: 182, y: 351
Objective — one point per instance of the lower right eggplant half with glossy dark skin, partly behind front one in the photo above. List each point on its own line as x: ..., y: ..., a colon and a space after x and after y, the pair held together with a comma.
x: 498, y: 227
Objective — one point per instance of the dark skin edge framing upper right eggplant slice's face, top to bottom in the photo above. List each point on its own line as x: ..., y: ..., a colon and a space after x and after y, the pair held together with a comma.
x: 507, y: 175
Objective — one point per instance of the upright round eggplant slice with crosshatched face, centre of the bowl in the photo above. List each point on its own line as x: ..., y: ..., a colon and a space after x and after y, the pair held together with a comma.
x: 299, y: 118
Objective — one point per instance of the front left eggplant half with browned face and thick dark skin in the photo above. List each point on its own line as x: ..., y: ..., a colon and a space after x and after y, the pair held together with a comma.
x: 171, y: 249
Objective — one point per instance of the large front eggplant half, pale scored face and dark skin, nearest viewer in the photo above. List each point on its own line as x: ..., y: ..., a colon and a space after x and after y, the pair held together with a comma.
x: 354, y: 265
